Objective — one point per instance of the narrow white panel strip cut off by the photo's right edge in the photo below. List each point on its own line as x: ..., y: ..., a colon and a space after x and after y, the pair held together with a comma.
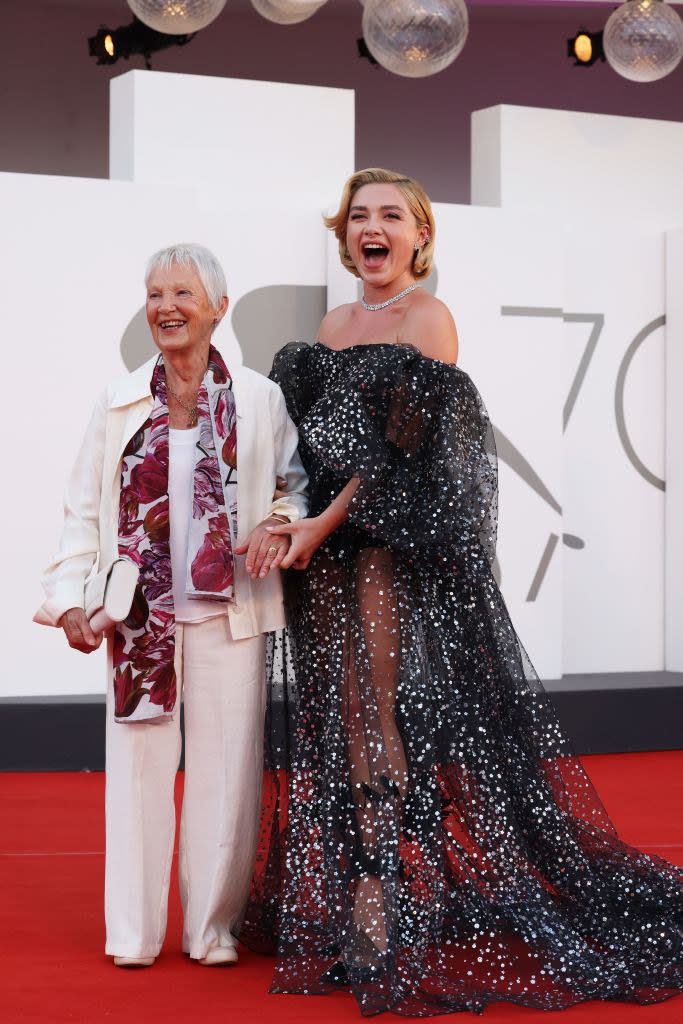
x: 674, y: 497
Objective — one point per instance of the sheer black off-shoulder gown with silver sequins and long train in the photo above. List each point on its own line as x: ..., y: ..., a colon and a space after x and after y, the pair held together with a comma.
x: 423, y: 819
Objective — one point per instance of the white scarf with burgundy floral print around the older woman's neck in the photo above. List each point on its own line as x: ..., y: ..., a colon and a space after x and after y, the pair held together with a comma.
x: 145, y: 684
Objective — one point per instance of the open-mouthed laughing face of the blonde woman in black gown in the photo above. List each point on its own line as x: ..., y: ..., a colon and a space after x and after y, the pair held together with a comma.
x: 382, y: 234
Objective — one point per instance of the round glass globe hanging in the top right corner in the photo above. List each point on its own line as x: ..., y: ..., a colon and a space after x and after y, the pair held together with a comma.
x: 644, y: 40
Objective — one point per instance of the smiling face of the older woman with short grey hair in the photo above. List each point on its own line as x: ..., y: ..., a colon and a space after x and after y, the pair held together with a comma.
x: 180, y: 314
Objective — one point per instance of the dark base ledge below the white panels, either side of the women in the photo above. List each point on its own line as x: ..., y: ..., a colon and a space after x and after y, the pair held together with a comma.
x: 68, y: 734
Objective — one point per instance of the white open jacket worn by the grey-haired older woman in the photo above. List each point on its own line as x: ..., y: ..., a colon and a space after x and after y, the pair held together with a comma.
x: 267, y: 449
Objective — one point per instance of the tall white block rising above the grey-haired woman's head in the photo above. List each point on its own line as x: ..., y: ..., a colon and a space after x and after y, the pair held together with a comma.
x: 290, y: 144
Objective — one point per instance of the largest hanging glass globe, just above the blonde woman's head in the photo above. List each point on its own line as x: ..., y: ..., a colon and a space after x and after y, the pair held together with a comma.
x: 415, y: 39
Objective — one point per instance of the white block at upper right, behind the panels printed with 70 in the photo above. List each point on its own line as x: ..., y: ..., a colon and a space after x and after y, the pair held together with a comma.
x: 586, y: 165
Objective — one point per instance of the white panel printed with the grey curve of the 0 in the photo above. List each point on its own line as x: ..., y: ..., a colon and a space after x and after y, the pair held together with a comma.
x: 614, y: 587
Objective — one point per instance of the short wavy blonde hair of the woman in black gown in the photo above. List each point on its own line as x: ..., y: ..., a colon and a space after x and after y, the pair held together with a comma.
x: 418, y: 203
